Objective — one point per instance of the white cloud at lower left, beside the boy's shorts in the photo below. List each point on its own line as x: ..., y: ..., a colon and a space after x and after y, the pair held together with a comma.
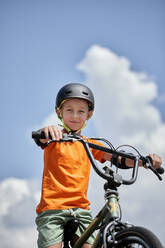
x: 18, y: 199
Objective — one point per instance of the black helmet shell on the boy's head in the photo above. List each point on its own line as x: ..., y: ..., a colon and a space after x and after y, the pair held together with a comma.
x: 75, y: 90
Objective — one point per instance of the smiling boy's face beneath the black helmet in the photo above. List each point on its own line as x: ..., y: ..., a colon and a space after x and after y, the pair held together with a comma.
x: 74, y: 113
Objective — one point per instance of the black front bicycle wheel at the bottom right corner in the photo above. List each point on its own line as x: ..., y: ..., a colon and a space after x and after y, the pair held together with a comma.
x: 136, y: 237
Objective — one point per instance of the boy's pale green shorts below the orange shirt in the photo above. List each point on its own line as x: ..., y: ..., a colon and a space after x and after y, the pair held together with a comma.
x: 50, y: 225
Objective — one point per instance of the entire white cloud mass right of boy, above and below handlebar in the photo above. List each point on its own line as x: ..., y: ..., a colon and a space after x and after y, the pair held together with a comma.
x: 125, y: 114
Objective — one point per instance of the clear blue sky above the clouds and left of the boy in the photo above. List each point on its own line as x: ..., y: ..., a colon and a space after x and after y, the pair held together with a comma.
x: 41, y: 44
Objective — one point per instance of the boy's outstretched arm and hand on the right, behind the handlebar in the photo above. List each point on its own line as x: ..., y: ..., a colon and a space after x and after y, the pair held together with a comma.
x: 128, y: 163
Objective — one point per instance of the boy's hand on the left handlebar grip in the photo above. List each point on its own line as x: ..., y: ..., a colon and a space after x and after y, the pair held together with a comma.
x: 54, y: 131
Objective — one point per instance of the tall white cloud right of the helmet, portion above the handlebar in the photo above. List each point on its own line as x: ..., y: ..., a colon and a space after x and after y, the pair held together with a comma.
x: 124, y: 110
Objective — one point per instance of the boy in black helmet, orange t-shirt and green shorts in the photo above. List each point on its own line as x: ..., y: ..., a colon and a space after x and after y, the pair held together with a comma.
x: 67, y: 168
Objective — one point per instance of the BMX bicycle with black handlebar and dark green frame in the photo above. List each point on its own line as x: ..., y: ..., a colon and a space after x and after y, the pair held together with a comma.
x: 112, y: 231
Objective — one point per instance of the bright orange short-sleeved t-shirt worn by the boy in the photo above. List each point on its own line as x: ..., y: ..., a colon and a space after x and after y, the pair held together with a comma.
x: 66, y: 176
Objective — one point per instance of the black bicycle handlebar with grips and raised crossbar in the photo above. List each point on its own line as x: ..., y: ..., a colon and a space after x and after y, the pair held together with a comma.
x: 110, y: 175
